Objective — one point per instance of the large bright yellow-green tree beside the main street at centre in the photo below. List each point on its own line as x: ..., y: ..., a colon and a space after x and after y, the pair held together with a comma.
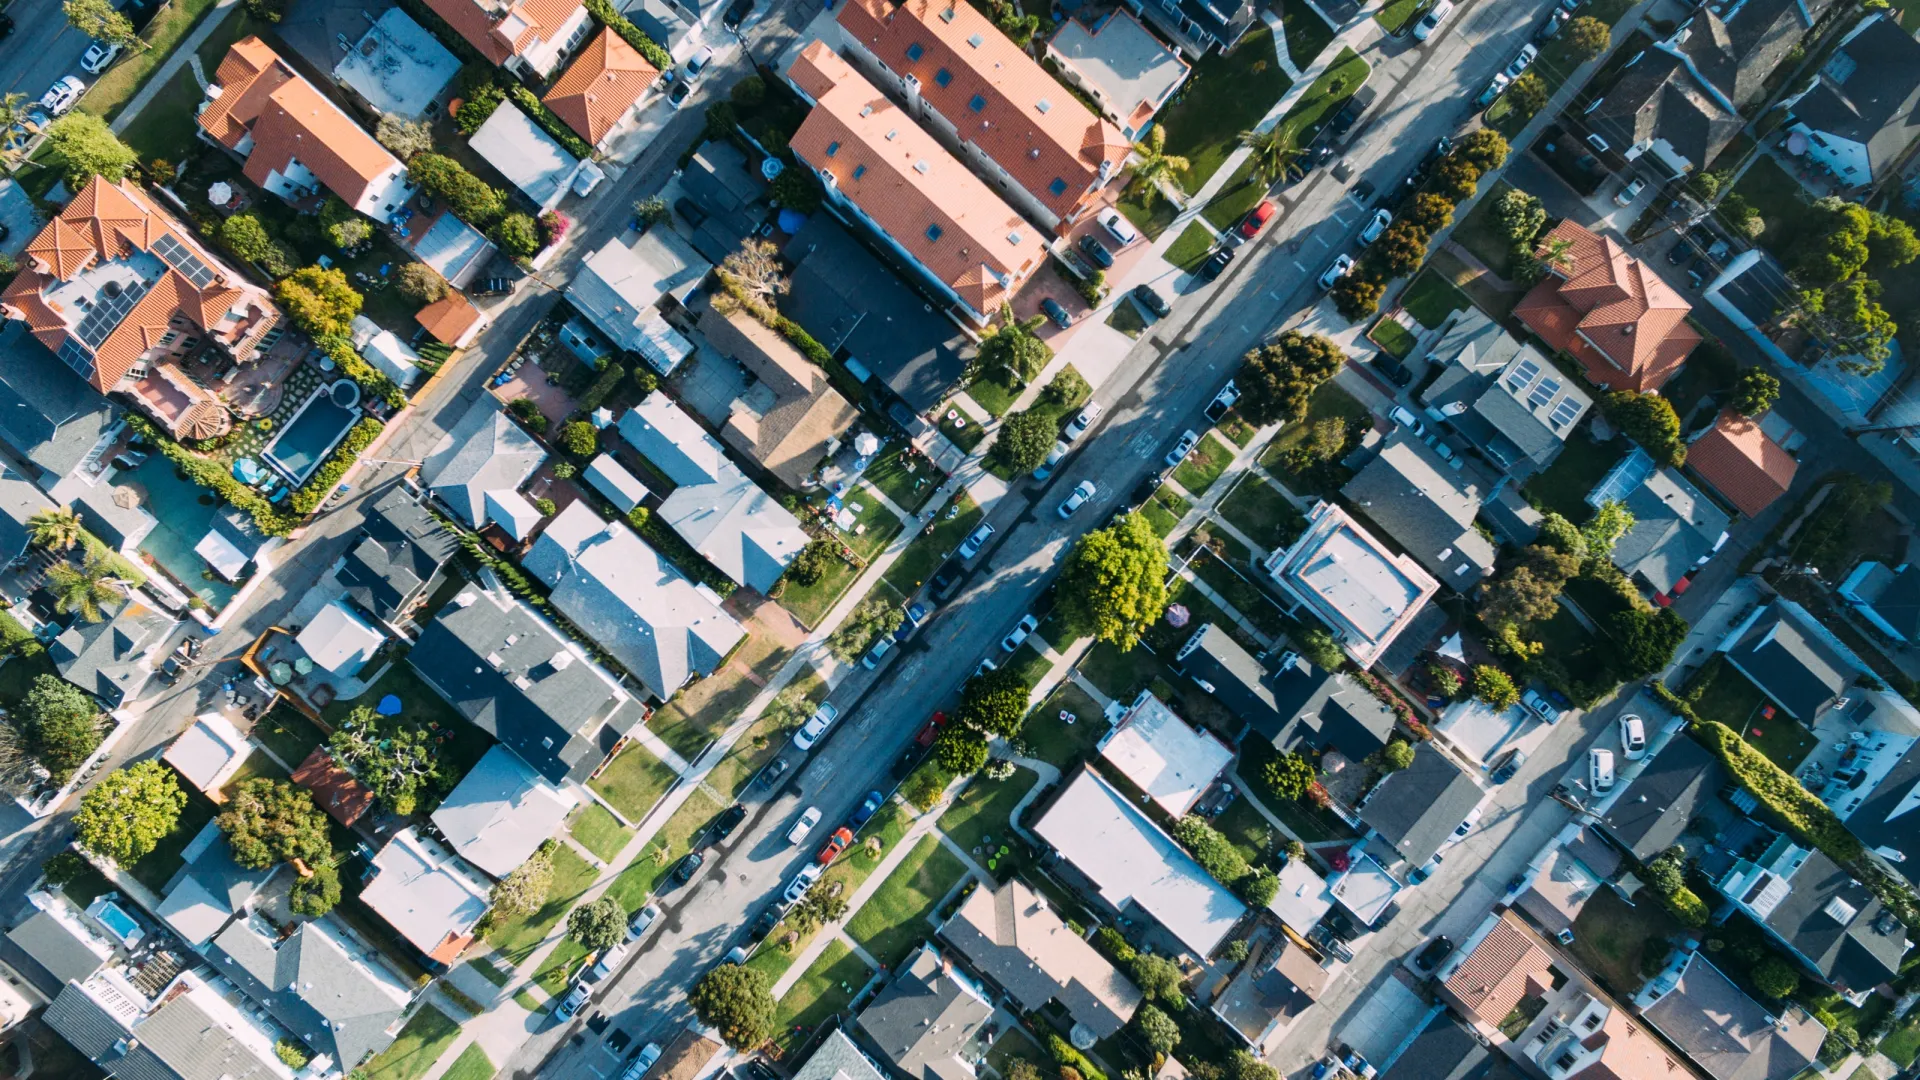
x: 1116, y: 579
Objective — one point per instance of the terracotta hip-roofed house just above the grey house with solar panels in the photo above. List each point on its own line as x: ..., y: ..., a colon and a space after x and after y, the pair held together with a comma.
x: 1608, y: 310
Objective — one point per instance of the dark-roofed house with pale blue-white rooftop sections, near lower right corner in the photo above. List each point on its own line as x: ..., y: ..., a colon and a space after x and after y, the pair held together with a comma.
x: 1827, y: 920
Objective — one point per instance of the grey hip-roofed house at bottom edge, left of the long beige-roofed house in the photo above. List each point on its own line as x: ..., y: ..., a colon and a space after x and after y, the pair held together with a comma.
x: 924, y: 1023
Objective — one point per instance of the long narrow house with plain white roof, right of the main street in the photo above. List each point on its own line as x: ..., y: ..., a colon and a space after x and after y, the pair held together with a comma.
x: 1134, y: 868
